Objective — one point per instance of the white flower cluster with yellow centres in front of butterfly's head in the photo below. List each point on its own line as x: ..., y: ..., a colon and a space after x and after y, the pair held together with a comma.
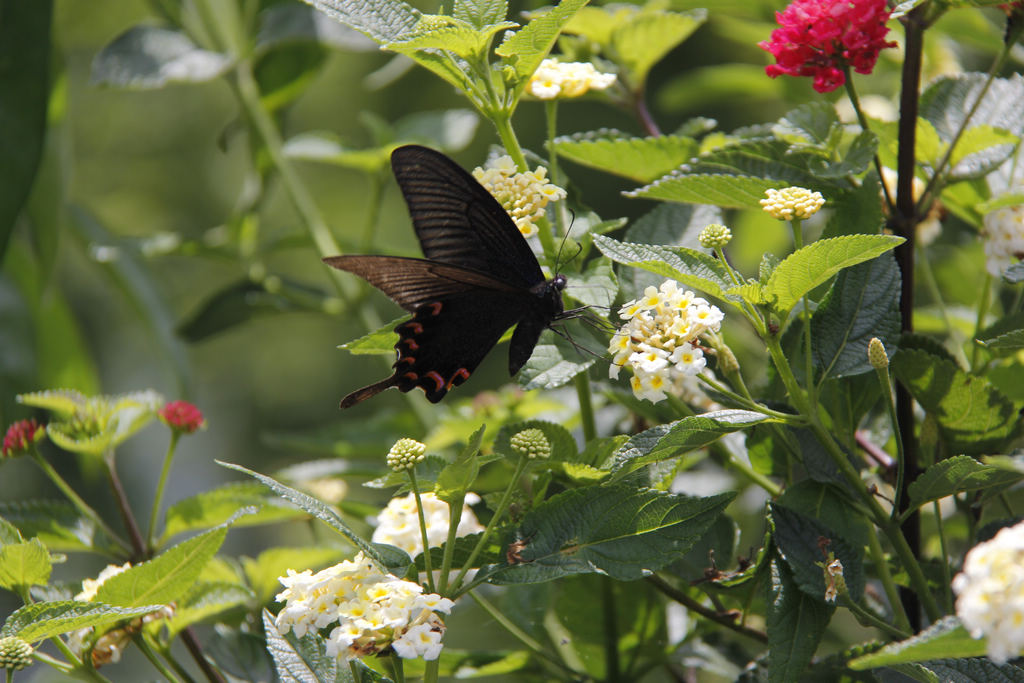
x: 658, y: 341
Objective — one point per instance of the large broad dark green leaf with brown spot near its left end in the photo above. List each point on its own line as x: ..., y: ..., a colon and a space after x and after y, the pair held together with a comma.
x: 616, y: 530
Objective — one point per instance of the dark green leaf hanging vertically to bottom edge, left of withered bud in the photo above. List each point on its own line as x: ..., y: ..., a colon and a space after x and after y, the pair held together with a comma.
x: 795, y: 624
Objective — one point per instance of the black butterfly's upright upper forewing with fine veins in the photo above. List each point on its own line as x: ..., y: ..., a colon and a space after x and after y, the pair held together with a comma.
x: 459, y: 223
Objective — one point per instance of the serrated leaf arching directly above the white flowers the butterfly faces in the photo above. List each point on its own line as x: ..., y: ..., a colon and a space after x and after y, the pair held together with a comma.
x: 690, y: 267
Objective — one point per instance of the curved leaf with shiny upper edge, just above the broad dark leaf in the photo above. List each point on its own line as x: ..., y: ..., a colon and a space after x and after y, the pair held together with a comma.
x: 691, y: 434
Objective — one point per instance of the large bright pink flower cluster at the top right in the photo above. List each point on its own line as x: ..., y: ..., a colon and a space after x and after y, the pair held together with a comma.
x: 821, y: 38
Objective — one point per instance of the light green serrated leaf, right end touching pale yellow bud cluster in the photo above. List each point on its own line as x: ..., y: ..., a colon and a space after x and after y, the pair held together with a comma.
x: 727, y: 191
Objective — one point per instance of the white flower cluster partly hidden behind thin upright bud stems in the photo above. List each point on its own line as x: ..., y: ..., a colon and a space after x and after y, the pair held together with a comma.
x: 399, y: 524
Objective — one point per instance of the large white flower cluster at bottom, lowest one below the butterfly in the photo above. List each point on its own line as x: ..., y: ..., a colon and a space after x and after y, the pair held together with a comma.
x: 373, y: 611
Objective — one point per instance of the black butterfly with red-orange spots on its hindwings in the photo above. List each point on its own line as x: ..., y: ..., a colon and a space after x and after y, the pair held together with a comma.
x: 480, y: 278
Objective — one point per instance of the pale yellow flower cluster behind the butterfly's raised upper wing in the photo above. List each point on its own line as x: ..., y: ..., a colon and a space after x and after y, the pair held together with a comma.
x: 524, y: 196
